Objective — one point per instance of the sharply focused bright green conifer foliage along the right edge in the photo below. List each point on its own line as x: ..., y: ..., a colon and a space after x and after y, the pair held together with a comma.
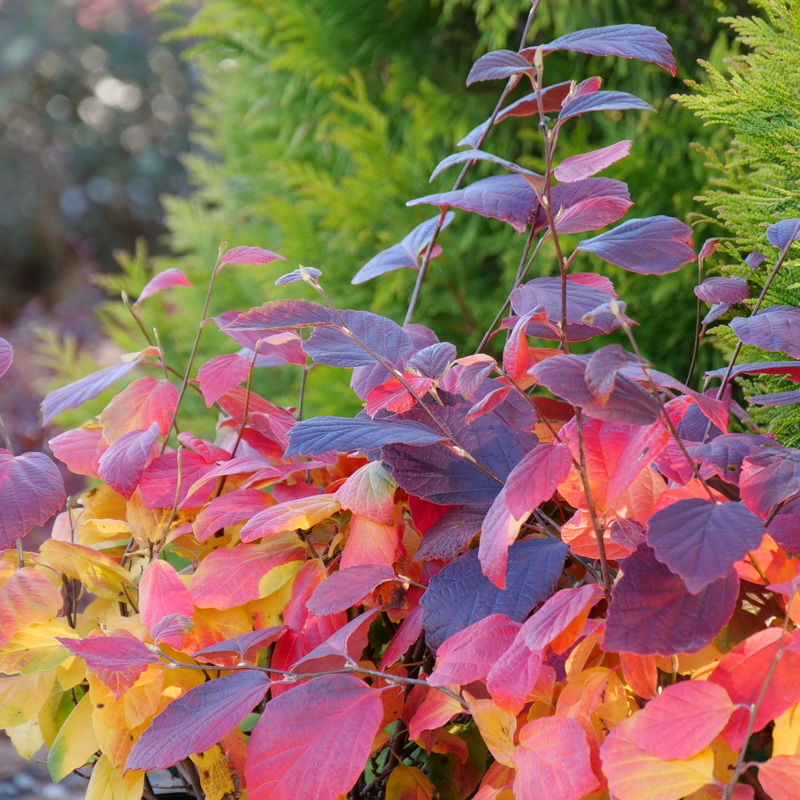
x: 757, y: 183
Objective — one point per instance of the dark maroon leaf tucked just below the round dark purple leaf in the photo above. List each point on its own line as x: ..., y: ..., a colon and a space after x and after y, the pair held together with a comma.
x: 653, y: 613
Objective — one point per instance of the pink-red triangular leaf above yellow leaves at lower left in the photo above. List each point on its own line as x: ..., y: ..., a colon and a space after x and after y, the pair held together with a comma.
x: 118, y: 661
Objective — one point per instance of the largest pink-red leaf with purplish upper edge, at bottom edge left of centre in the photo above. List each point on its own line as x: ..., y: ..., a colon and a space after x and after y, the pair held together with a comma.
x: 296, y: 751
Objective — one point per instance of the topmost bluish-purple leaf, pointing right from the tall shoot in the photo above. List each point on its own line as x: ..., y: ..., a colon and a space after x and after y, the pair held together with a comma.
x: 626, y: 41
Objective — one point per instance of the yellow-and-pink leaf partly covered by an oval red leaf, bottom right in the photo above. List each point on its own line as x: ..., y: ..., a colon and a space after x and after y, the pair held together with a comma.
x: 633, y: 775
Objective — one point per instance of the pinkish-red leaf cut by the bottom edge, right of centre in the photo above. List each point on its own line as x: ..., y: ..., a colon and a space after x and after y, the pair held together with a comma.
x: 553, y: 761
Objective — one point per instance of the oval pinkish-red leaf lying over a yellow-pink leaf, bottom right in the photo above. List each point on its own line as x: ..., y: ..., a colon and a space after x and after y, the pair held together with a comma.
x: 683, y: 720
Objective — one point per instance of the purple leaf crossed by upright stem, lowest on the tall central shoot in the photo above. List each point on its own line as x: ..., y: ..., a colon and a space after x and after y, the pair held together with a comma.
x: 544, y: 294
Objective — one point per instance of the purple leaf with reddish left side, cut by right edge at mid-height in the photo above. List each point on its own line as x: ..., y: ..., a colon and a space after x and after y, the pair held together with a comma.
x: 769, y: 478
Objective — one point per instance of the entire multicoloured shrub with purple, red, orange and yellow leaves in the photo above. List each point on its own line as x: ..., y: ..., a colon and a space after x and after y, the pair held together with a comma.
x: 624, y: 627
